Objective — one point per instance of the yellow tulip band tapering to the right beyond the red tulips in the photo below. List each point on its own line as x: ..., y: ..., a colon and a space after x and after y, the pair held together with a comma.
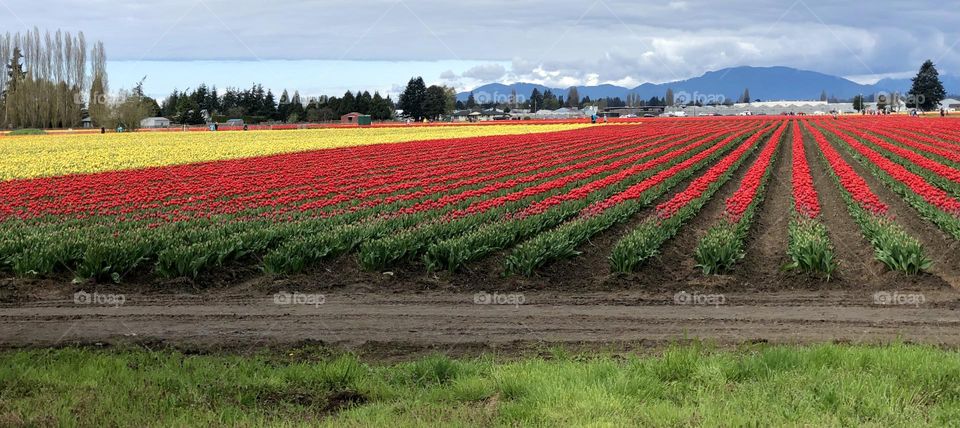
x: 53, y: 155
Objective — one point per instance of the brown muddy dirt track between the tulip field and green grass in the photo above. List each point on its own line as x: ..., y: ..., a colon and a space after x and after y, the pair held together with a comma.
x: 383, y: 323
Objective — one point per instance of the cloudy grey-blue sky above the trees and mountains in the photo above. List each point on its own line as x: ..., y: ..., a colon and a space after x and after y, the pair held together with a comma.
x: 331, y: 46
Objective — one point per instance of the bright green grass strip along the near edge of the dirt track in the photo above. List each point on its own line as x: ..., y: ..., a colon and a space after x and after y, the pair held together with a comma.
x: 824, y: 385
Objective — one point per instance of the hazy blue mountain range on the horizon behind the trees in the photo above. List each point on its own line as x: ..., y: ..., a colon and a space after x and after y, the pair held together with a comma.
x: 765, y: 83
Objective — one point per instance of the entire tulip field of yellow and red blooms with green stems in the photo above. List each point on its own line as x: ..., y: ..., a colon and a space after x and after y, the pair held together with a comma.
x: 509, y: 200
